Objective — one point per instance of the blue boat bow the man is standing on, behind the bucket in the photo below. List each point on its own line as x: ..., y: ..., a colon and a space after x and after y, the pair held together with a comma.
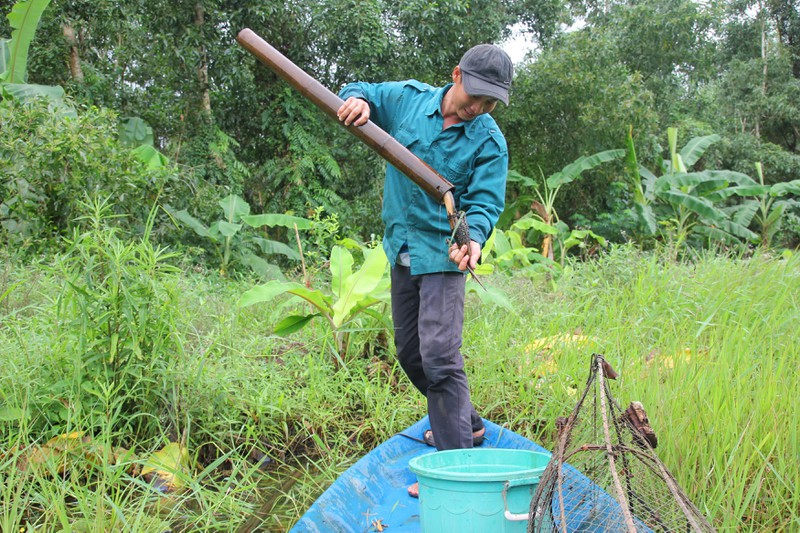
x: 372, y: 493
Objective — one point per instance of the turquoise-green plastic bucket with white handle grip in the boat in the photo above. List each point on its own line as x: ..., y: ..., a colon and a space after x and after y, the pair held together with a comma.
x: 479, y: 490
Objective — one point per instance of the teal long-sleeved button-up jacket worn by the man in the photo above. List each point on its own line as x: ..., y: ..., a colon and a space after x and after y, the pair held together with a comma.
x: 473, y: 156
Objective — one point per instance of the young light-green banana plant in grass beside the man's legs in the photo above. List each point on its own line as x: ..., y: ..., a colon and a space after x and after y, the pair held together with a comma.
x: 352, y: 293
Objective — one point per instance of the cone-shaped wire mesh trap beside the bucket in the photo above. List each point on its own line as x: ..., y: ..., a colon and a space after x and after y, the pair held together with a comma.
x: 604, y: 475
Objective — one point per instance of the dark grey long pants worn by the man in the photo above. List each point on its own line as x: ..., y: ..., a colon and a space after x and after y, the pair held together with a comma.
x: 428, y: 314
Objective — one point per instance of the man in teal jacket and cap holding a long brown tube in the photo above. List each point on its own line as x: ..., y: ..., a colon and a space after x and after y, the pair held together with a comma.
x: 450, y: 129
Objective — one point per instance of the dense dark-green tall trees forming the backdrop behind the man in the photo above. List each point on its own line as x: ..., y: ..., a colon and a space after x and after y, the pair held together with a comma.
x: 728, y: 68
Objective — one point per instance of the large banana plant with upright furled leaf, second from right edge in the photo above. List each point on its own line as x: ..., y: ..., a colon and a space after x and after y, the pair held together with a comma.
x: 689, y: 203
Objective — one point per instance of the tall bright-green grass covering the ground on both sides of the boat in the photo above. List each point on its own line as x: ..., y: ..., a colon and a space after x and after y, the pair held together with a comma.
x: 710, y: 348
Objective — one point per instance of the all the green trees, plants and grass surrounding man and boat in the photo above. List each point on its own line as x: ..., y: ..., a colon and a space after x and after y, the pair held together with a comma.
x: 158, y: 187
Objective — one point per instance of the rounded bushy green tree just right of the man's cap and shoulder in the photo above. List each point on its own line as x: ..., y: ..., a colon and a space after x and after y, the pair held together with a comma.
x: 575, y: 100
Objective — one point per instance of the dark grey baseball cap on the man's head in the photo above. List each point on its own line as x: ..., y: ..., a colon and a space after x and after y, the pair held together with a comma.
x: 487, y: 71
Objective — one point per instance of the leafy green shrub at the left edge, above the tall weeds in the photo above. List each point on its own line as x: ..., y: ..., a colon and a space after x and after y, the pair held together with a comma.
x: 48, y: 162
